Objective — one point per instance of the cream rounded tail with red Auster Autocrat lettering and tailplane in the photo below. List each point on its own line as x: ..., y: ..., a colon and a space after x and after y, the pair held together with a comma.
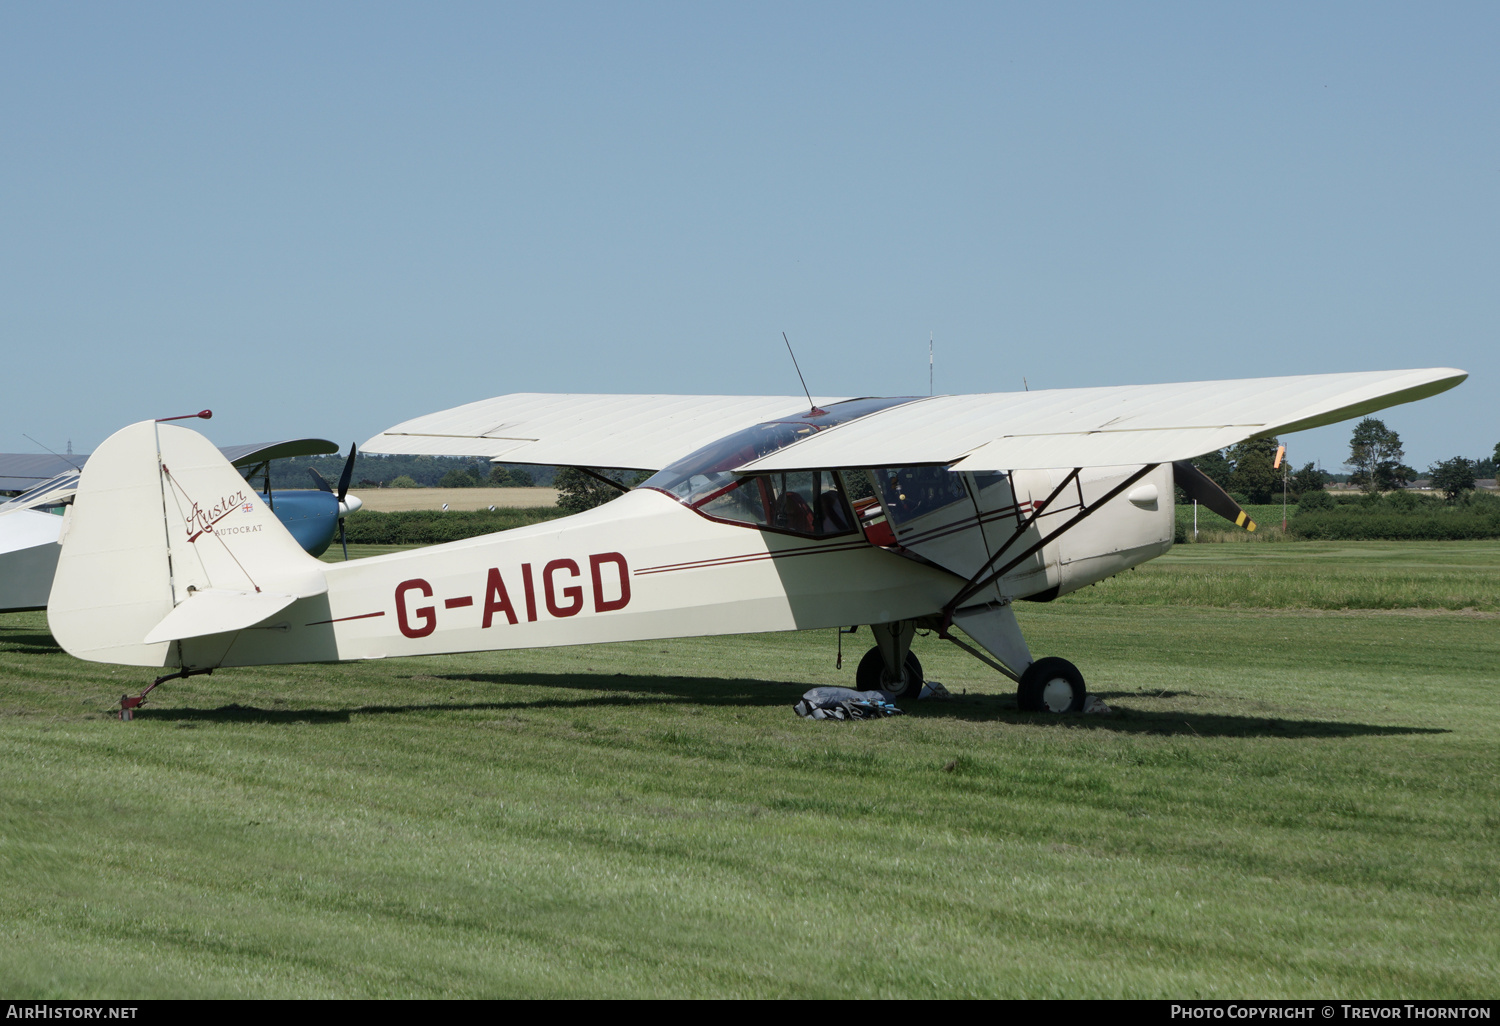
x: 164, y: 542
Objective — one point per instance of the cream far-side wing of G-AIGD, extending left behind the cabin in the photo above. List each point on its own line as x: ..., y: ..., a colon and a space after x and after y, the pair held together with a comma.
x: 635, y: 433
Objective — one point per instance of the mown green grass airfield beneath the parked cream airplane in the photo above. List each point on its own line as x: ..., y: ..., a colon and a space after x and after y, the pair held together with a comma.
x: 1294, y: 800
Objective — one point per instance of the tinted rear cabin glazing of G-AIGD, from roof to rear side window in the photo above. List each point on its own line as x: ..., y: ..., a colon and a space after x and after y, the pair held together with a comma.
x: 809, y: 503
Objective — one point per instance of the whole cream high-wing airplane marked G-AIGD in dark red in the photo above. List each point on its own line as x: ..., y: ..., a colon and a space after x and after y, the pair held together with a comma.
x: 751, y: 526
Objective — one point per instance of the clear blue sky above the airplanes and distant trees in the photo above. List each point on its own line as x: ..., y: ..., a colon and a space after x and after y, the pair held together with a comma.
x: 328, y: 218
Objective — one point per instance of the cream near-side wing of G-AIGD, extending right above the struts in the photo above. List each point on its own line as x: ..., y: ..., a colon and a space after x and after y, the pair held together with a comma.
x: 1109, y: 427
